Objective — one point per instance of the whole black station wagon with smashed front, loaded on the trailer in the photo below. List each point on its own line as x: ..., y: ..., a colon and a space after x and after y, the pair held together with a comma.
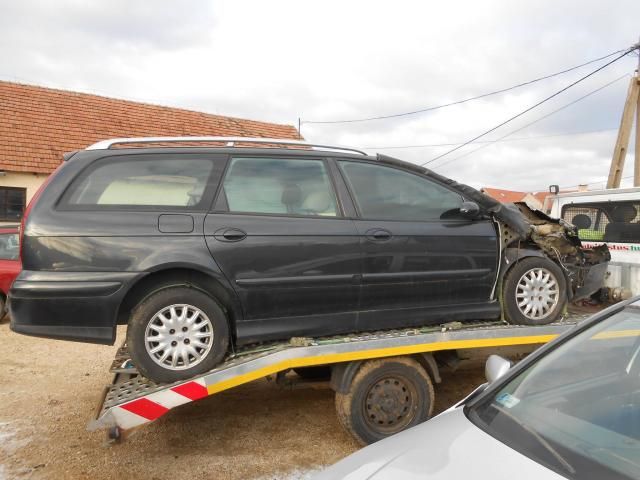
x: 200, y: 249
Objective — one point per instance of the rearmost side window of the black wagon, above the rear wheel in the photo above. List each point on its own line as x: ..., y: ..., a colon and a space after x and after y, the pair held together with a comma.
x: 143, y: 182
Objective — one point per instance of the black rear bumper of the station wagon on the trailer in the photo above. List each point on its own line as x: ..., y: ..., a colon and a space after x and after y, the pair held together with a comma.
x: 80, y: 306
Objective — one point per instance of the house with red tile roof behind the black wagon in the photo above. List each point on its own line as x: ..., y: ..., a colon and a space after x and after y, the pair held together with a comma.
x: 38, y: 125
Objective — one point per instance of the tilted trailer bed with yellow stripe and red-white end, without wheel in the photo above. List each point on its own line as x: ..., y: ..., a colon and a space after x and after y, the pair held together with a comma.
x: 132, y: 400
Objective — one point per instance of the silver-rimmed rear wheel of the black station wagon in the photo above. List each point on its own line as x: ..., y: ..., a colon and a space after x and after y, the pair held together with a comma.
x: 163, y: 312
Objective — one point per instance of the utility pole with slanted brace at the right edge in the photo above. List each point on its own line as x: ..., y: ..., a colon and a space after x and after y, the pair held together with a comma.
x: 631, y: 105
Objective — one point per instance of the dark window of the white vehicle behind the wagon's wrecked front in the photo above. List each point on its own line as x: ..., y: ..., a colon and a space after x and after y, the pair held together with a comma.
x: 617, y: 222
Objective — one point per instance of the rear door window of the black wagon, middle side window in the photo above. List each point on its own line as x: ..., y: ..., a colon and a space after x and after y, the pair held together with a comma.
x: 279, y: 186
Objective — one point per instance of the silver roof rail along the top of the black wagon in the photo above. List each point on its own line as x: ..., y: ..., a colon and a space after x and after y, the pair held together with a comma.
x: 230, y: 141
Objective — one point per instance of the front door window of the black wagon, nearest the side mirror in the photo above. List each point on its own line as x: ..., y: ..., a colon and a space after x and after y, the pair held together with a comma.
x: 385, y: 193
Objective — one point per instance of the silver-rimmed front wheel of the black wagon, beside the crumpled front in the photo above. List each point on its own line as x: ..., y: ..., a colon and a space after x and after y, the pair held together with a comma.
x: 534, y: 292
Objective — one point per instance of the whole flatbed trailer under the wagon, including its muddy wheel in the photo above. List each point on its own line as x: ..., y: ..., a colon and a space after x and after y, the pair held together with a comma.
x: 383, y: 380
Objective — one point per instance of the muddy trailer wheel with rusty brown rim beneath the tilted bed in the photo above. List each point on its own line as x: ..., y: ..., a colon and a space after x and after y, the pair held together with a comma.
x: 385, y: 397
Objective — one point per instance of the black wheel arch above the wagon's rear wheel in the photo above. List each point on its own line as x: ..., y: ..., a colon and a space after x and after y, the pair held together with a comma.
x: 188, y: 275
